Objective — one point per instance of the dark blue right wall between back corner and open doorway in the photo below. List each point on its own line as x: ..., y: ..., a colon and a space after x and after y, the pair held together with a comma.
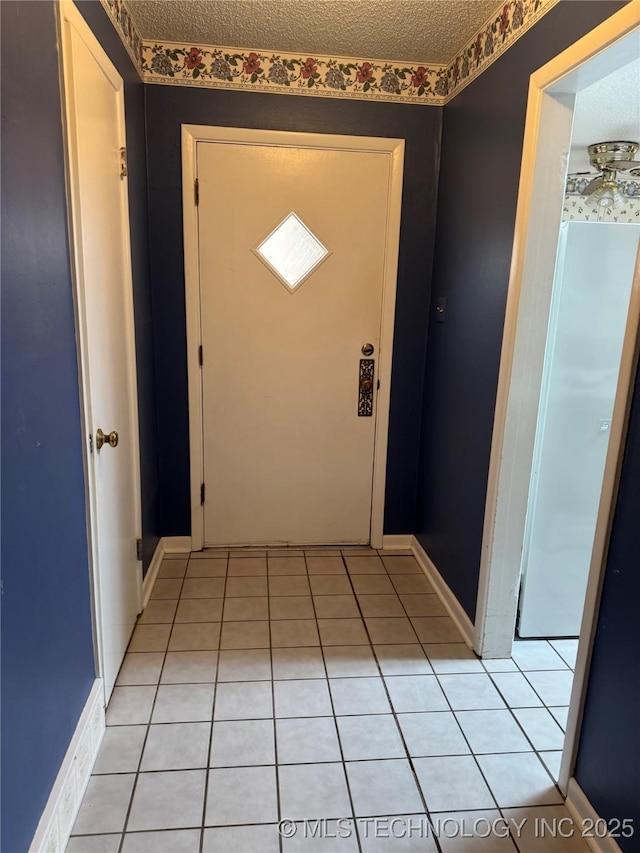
x: 482, y: 135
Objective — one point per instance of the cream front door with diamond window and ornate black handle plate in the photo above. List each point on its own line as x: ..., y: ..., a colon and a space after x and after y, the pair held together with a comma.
x: 293, y: 242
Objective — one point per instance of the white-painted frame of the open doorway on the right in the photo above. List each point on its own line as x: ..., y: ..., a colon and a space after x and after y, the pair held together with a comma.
x: 550, y: 109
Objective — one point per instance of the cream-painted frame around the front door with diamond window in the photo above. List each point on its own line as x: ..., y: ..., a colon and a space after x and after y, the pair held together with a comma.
x: 394, y: 148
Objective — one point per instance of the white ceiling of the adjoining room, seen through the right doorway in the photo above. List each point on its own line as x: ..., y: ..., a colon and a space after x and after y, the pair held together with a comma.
x: 606, y: 111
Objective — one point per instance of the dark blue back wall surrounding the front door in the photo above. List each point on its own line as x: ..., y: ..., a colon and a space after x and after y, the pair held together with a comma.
x: 167, y: 108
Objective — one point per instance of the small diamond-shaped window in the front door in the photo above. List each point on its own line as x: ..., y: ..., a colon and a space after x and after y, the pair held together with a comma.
x: 292, y: 252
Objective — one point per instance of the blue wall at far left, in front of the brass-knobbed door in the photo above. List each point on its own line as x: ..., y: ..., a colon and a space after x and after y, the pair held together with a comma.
x: 47, y: 649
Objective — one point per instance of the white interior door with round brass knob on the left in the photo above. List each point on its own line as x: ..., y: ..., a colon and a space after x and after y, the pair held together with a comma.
x: 96, y: 133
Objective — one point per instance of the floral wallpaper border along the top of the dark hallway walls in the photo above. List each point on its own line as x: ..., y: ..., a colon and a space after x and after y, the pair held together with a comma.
x: 172, y: 63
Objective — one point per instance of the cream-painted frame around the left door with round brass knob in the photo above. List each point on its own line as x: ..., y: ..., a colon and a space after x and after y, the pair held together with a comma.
x: 69, y: 16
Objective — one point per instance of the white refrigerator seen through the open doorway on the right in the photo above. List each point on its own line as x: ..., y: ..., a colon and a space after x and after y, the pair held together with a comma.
x: 590, y: 300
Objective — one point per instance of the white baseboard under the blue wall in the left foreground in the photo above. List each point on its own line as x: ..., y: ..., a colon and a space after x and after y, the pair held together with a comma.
x: 58, y: 817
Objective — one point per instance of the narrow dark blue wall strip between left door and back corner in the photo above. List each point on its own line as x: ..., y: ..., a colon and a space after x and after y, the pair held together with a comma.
x: 134, y: 96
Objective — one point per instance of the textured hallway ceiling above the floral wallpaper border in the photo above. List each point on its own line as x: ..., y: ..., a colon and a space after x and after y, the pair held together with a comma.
x: 411, y: 31
